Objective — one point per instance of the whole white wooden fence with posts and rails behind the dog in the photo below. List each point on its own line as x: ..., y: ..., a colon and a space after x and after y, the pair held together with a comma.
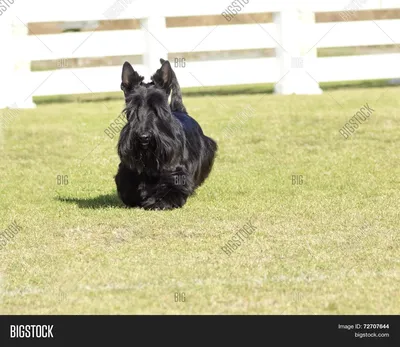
x: 293, y: 33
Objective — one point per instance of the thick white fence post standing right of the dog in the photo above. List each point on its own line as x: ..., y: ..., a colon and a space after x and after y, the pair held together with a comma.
x: 296, y: 57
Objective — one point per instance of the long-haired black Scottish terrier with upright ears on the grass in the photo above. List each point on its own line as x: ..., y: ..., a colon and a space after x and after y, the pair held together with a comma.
x: 164, y: 154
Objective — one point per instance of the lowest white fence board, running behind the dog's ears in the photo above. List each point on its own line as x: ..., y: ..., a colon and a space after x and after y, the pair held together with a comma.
x: 108, y: 79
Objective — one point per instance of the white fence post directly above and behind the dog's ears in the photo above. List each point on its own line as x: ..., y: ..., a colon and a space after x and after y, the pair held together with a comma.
x: 154, y: 28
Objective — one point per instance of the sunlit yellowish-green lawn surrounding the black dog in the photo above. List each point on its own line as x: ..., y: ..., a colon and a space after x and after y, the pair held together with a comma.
x: 328, y: 246
